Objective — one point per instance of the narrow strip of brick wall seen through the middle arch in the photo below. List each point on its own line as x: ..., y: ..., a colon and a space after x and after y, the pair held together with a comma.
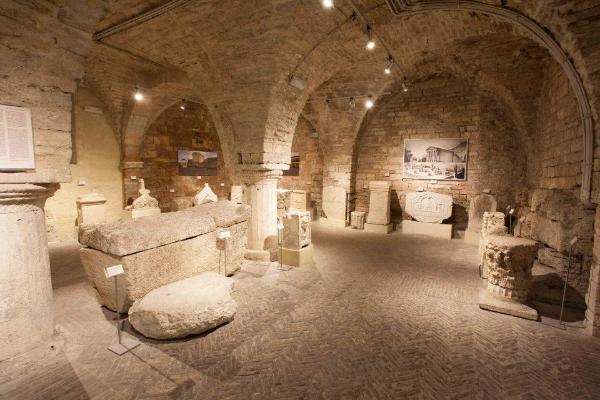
x: 311, y: 164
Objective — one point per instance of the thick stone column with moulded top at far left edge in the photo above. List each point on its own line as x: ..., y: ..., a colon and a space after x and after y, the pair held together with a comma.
x: 26, y: 310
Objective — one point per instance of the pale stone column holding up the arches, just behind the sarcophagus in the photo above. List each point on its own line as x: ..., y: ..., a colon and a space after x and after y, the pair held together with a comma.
x: 260, y: 193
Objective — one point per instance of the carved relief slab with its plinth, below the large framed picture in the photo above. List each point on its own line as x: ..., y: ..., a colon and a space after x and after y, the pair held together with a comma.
x: 429, y: 209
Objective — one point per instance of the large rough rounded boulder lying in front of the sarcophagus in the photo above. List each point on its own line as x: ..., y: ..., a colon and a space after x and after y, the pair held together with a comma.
x: 187, y: 307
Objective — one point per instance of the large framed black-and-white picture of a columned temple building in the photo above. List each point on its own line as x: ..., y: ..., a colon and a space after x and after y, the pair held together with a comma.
x: 439, y: 159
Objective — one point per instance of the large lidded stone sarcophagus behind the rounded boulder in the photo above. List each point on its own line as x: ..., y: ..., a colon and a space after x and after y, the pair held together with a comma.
x: 160, y: 249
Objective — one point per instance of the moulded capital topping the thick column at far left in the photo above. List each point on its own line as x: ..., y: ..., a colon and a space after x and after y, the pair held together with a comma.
x: 22, y: 197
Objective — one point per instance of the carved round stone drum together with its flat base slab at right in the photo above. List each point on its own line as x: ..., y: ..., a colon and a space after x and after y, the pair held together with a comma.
x: 510, y: 261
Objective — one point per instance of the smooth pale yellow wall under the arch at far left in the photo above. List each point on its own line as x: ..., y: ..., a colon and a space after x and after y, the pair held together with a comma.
x: 96, y: 168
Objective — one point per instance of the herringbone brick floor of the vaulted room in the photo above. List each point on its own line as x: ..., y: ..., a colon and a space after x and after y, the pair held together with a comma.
x: 376, y: 317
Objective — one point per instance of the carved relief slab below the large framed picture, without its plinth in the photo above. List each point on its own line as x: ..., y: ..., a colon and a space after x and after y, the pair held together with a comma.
x: 429, y: 206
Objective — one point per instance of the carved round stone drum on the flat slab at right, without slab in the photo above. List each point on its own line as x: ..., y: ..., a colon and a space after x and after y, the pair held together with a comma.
x: 510, y: 261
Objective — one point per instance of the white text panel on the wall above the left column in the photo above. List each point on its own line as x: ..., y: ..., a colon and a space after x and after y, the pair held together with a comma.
x: 16, y: 139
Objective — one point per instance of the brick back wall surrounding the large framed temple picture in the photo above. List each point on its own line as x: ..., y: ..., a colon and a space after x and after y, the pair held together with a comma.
x: 442, y: 108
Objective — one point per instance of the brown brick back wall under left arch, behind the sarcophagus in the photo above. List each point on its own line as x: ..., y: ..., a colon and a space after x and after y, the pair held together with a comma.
x: 174, y: 129
